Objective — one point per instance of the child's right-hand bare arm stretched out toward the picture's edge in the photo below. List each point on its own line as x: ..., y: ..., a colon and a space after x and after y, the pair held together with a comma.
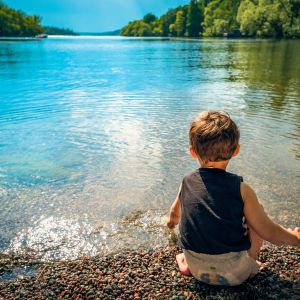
x: 259, y: 221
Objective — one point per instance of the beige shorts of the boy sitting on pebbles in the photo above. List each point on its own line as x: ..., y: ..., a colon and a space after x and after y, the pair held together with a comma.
x: 231, y: 268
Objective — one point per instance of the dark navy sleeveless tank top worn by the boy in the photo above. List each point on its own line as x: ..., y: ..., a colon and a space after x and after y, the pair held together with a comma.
x: 212, y: 217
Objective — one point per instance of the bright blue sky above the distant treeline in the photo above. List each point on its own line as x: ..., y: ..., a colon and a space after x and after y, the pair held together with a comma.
x: 92, y: 15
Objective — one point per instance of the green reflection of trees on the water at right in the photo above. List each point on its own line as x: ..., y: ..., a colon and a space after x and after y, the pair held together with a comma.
x: 273, y: 70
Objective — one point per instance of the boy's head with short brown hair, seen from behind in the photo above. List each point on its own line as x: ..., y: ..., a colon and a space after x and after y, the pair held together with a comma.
x: 214, y: 136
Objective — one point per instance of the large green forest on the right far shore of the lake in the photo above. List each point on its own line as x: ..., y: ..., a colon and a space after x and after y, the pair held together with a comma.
x: 219, y: 18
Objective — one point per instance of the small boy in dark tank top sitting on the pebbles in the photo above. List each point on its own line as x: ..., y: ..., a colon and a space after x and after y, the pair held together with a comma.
x: 222, y: 225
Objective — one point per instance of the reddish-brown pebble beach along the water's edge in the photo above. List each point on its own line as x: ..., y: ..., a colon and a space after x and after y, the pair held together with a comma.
x: 143, y: 274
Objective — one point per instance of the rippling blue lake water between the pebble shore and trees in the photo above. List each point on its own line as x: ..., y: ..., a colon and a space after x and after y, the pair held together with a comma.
x: 94, y: 135
